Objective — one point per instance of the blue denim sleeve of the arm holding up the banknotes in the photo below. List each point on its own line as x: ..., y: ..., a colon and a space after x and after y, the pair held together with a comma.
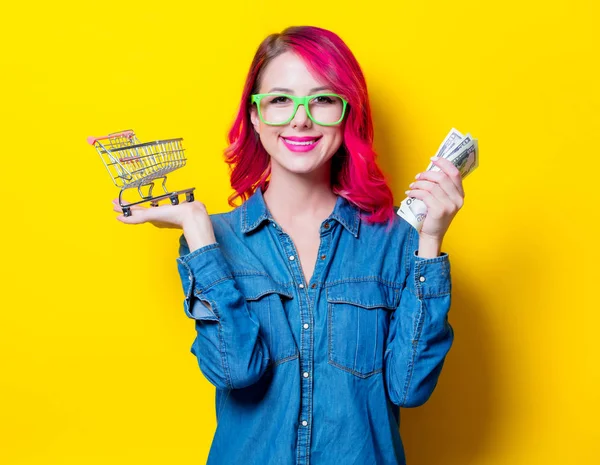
x: 420, y: 335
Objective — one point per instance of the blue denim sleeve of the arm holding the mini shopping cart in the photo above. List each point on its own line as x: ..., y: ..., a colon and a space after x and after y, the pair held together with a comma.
x: 229, y: 350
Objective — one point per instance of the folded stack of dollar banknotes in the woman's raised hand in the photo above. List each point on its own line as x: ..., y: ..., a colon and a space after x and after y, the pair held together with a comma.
x: 462, y: 151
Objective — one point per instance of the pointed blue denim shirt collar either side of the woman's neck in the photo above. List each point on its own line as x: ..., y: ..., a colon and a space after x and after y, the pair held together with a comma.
x: 255, y: 212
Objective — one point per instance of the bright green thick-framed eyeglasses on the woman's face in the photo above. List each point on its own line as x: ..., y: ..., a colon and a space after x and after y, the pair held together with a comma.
x: 280, y: 109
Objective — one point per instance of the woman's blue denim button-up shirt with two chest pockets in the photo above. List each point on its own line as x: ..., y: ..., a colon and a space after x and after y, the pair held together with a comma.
x: 314, y: 373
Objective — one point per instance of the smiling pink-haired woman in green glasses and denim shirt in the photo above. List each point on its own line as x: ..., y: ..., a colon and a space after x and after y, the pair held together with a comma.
x: 318, y: 310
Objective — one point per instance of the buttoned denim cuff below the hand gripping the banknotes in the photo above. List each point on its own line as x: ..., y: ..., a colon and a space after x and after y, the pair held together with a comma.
x: 430, y: 277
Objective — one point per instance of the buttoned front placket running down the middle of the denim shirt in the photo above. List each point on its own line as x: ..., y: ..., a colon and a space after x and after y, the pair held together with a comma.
x: 308, y: 299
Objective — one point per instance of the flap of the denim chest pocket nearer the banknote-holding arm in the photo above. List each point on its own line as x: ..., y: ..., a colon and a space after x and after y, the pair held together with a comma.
x: 367, y: 294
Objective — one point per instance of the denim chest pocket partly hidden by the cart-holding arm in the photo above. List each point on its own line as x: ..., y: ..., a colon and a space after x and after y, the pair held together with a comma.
x: 265, y: 299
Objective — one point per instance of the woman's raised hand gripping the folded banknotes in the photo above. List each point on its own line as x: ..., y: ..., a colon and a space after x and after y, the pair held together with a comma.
x: 443, y: 193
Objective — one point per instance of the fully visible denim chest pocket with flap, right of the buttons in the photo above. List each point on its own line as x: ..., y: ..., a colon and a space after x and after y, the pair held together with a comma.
x: 358, y: 315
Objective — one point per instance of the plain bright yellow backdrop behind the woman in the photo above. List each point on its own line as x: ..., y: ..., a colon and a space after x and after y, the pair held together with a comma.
x: 95, y: 365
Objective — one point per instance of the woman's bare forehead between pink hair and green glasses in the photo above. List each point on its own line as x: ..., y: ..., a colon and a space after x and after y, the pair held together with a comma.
x: 289, y: 71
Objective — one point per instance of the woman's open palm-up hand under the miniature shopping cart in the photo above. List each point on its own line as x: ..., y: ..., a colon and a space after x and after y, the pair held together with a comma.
x: 192, y: 217
